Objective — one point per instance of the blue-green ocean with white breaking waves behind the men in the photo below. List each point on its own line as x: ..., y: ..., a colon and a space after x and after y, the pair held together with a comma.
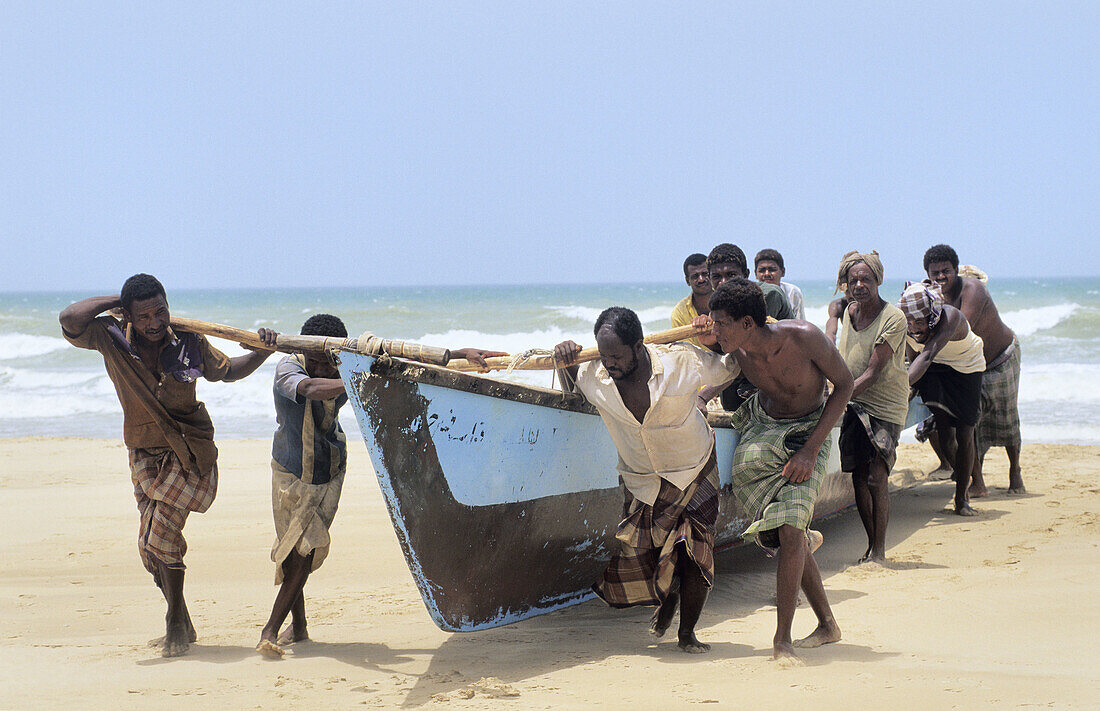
x: 48, y: 388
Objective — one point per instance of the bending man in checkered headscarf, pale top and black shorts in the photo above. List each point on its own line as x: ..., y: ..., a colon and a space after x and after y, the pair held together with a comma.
x: 945, y: 367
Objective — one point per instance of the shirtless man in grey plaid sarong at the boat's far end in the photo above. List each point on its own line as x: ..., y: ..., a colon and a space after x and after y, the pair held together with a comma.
x: 999, y: 424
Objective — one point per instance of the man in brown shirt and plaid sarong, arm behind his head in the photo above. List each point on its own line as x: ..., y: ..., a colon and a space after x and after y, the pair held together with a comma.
x: 170, y: 435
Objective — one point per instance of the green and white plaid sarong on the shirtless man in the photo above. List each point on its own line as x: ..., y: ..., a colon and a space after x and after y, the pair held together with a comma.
x: 764, y: 450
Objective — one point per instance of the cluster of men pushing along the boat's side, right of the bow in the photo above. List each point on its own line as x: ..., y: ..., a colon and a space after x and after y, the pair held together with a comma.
x: 772, y: 373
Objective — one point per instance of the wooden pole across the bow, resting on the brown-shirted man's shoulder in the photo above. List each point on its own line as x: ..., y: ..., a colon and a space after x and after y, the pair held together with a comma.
x: 291, y: 344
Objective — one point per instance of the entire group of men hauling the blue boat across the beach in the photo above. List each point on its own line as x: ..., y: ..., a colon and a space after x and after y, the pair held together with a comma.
x: 752, y: 349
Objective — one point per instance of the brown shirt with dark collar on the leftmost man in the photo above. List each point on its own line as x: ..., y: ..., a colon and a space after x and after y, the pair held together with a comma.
x: 160, y: 409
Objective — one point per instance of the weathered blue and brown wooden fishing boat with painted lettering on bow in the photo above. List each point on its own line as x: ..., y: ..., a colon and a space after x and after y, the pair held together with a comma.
x: 505, y: 497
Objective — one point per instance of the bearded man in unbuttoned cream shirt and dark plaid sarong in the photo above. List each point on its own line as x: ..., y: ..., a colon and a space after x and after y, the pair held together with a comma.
x: 650, y: 399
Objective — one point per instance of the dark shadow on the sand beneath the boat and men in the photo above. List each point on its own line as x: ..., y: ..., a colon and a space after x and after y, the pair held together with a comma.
x: 590, y: 632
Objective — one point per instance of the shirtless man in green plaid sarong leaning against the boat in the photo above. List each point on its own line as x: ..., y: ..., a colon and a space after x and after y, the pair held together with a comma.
x: 789, y: 363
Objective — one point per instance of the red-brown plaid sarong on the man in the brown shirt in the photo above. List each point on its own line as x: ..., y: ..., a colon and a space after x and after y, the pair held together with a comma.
x: 166, y: 495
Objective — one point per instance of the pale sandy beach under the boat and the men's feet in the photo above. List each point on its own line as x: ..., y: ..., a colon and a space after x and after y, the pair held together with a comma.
x: 993, y: 612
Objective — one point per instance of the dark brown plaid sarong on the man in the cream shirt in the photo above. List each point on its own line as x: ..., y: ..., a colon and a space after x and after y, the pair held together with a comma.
x: 642, y: 574
